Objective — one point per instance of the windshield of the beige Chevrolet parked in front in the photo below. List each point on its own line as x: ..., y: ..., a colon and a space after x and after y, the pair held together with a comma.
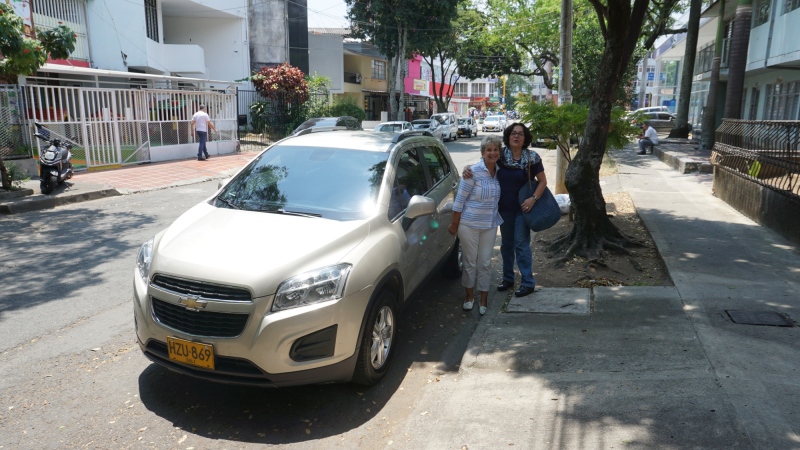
x: 336, y: 184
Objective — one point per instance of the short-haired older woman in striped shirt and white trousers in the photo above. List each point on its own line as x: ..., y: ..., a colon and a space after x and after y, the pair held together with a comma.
x: 475, y: 220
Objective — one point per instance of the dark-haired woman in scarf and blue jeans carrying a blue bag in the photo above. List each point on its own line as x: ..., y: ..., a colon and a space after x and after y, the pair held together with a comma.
x: 518, y: 165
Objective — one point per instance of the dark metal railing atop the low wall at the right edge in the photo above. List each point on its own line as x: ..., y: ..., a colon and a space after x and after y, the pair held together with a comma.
x: 765, y: 152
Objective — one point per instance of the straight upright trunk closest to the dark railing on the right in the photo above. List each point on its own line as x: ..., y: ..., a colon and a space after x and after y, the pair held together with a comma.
x: 739, y: 42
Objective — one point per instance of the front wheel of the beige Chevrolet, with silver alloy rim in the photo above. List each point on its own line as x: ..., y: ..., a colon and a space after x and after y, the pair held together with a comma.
x: 377, y: 340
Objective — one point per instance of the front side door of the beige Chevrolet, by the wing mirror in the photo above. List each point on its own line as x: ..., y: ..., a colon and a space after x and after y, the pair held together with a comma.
x: 409, y: 179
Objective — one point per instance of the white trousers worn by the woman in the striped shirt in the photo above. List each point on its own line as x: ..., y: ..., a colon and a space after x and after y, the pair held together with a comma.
x: 476, y: 255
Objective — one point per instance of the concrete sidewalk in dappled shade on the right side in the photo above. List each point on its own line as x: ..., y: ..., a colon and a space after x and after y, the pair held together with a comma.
x: 639, y: 367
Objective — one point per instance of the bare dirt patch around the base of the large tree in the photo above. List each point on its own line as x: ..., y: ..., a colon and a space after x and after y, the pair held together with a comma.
x: 642, y: 267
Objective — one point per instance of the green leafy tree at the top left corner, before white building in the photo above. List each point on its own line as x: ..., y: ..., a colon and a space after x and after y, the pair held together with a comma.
x: 24, y: 55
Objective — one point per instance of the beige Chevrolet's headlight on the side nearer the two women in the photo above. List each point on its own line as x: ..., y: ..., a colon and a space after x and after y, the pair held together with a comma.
x: 312, y: 287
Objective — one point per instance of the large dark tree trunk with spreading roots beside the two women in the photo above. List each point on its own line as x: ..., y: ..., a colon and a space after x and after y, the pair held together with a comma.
x: 593, y: 232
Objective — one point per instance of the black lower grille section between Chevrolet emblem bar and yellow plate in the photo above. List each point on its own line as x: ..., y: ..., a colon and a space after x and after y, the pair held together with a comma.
x: 199, y: 323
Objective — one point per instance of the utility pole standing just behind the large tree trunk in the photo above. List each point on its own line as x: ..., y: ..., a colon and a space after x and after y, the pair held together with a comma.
x: 564, y: 90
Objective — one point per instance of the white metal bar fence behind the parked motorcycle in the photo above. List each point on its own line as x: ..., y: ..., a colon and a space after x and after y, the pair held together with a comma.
x: 121, y: 126
